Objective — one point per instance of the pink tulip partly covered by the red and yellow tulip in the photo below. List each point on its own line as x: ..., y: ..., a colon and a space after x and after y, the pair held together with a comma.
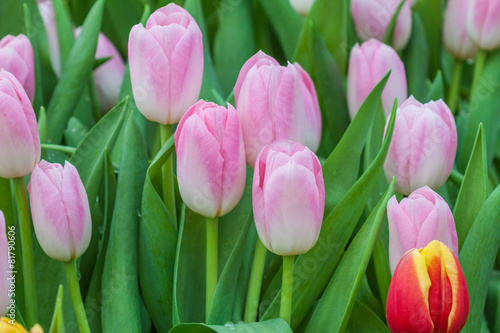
x: 418, y: 220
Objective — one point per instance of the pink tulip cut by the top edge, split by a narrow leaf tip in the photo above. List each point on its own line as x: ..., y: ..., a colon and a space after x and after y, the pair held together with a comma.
x: 372, y: 17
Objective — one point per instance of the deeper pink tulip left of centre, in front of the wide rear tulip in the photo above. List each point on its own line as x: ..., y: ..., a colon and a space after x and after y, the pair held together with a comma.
x: 211, y: 167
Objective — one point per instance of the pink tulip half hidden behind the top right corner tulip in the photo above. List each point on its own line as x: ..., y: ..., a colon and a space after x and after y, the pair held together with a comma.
x: 455, y: 37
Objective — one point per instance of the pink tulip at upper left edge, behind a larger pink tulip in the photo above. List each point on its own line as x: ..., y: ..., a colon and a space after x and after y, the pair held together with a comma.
x: 16, y: 57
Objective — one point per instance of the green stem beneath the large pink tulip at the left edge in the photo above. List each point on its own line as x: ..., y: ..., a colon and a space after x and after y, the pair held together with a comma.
x: 27, y: 252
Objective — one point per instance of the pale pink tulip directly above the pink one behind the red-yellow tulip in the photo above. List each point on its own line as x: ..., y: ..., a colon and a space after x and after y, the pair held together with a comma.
x: 423, y: 146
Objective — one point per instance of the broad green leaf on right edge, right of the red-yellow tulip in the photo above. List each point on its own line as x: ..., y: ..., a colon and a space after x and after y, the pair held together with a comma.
x: 477, y: 257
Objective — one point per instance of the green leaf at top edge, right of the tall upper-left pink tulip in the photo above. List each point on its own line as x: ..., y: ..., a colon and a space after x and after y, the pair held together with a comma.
x: 235, y: 32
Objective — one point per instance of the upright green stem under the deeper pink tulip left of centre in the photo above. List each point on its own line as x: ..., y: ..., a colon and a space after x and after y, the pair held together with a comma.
x: 212, y: 252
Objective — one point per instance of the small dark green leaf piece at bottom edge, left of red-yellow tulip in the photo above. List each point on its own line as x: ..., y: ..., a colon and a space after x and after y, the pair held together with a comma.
x: 363, y: 320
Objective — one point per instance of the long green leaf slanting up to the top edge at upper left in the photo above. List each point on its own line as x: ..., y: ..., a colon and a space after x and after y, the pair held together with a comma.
x: 75, y: 75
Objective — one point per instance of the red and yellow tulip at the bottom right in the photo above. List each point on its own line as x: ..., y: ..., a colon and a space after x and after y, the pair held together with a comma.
x: 428, y: 292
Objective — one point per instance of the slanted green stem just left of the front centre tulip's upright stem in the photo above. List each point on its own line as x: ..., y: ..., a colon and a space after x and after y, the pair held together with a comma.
x: 259, y: 260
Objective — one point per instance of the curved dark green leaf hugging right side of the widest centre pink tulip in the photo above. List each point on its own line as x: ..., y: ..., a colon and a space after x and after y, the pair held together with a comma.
x: 313, y: 55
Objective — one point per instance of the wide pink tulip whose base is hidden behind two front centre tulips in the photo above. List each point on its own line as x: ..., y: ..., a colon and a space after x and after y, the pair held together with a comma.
x: 276, y: 102
